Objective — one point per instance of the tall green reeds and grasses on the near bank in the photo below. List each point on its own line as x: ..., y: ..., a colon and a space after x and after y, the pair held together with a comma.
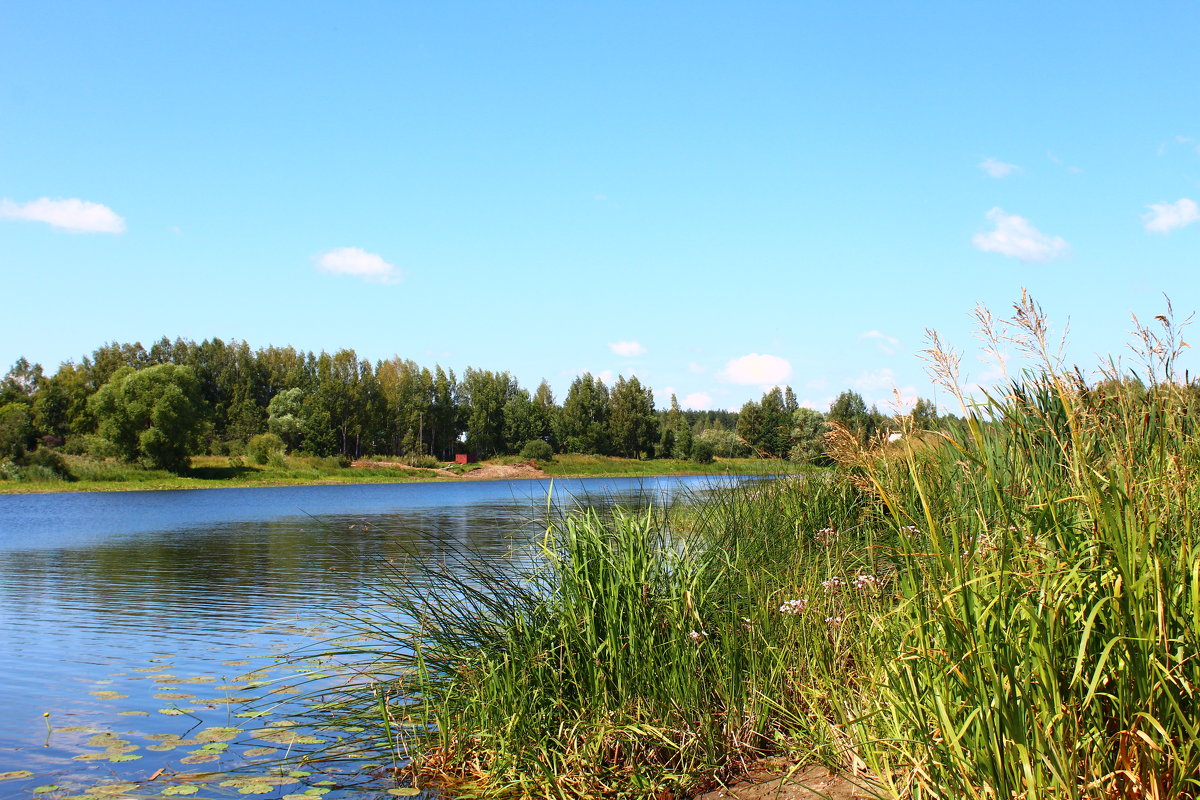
x: 1006, y: 610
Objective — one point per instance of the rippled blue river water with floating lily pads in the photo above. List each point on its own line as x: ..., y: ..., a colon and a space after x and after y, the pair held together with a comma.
x: 146, y: 623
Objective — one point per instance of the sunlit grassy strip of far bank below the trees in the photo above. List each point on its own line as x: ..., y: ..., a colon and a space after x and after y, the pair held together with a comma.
x: 219, y: 472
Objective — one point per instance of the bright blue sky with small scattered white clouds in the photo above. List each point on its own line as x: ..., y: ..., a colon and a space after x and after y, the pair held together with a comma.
x: 715, y: 197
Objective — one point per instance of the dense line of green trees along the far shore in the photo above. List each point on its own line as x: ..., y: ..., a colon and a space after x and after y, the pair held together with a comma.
x: 163, y: 405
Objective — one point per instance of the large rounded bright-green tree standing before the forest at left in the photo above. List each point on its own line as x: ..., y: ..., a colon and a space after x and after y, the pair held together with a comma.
x: 154, y: 416
